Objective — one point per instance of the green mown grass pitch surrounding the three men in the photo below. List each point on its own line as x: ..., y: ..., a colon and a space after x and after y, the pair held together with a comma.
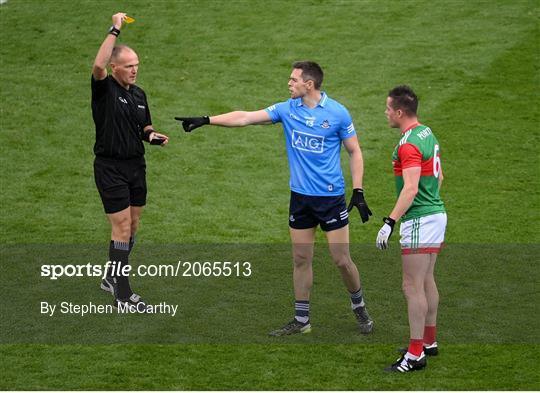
x: 475, y: 66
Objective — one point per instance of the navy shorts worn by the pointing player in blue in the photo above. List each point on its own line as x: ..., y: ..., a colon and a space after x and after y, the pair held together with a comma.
x: 309, y: 211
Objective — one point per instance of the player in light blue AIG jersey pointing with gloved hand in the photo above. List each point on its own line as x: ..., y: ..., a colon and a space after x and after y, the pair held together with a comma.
x: 315, y: 126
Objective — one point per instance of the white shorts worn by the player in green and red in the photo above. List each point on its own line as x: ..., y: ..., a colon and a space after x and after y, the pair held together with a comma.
x: 423, y: 235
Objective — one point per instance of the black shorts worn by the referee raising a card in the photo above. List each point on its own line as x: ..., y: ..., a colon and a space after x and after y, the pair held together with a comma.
x: 121, y: 183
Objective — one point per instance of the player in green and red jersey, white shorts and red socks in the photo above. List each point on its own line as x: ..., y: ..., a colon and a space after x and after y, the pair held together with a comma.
x: 417, y: 167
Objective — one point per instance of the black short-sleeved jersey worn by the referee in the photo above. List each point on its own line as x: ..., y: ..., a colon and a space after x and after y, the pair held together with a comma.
x: 120, y: 116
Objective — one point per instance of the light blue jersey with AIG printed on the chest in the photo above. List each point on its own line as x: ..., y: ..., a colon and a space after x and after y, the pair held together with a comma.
x: 313, y: 138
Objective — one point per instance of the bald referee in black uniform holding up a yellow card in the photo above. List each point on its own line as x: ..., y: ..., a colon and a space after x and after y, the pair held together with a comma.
x: 122, y: 118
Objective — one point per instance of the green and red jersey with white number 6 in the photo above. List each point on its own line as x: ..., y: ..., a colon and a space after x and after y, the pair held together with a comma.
x: 418, y: 147
